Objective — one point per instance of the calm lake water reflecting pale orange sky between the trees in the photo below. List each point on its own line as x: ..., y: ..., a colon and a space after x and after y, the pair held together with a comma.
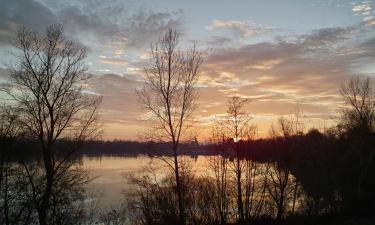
x: 110, y: 173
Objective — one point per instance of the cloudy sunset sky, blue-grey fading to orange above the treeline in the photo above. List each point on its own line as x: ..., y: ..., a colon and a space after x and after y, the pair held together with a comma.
x: 283, y: 55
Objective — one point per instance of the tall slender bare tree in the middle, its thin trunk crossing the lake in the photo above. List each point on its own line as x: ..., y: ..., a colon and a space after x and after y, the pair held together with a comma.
x: 169, y: 95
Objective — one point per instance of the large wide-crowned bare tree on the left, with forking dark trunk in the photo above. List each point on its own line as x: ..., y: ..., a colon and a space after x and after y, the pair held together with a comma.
x: 47, y: 87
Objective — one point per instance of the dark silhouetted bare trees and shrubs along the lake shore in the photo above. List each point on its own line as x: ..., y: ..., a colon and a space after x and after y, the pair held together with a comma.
x: 292, y: 177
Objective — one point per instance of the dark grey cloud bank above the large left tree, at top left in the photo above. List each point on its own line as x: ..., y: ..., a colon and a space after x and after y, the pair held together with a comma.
x: 102, y: 22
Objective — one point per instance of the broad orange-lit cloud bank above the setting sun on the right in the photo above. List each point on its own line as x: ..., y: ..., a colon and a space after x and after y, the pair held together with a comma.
x: 278, y: 75
